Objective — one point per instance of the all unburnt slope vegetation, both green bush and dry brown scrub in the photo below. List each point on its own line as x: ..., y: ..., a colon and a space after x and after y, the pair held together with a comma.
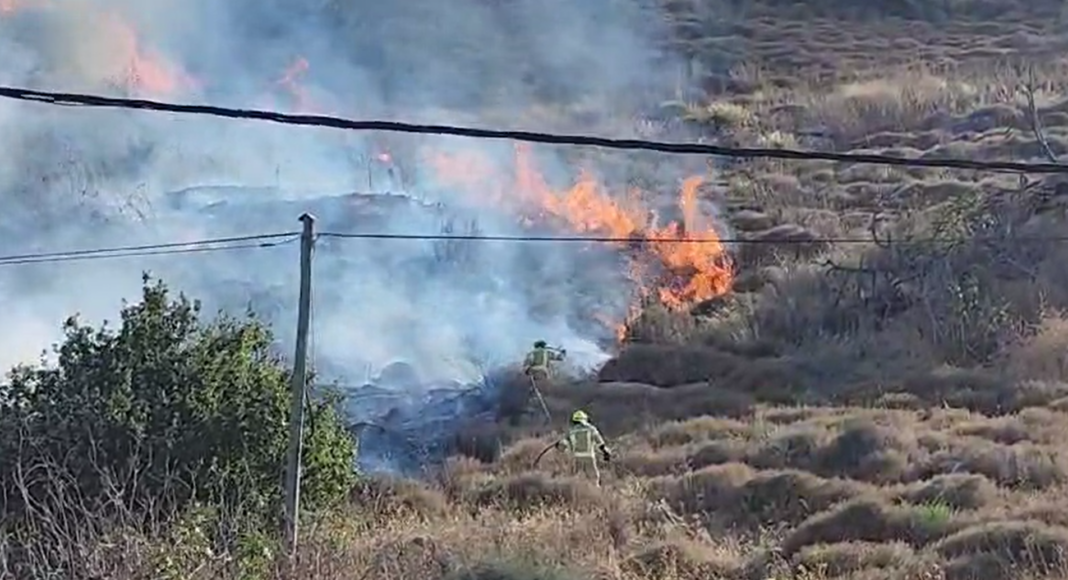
x: 890, y: 409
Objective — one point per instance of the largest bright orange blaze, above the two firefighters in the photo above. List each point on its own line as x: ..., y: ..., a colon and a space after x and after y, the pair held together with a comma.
x: 680, y: 264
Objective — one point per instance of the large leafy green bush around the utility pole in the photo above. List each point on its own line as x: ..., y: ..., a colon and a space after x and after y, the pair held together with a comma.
x: 162, y: 414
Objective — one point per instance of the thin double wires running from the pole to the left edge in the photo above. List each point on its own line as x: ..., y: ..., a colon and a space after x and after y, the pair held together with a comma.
x: 154, y: 249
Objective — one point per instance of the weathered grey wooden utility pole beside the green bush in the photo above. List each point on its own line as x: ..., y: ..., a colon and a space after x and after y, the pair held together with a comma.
x: 299, y: 386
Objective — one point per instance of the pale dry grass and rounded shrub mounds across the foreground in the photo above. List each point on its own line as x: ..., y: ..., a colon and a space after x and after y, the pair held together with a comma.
x: 788, y: 493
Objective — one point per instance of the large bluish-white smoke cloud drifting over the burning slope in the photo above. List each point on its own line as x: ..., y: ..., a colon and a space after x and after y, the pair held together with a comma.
x: 84, y: 179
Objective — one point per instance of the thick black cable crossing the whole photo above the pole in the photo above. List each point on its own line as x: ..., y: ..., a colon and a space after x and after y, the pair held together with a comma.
x: 77, y: 100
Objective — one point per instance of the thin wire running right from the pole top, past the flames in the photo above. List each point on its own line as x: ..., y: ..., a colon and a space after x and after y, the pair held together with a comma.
x: 726, y: 242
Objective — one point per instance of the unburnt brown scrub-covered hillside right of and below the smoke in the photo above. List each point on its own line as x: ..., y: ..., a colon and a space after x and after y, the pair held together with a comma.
x: 890, y: 407
